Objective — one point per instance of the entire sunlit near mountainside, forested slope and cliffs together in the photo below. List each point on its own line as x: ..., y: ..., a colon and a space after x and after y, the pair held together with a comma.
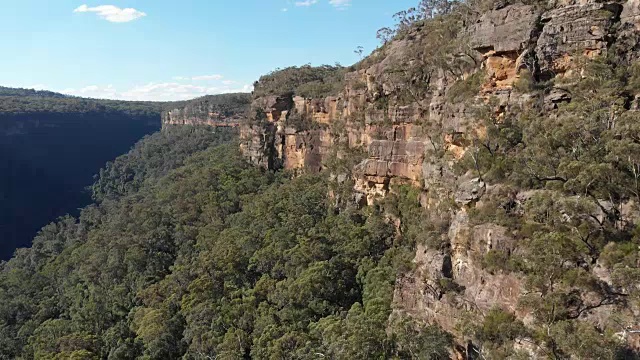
x: 468, y: 191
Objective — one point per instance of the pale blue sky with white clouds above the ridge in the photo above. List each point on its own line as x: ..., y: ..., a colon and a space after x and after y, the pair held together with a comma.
x: 177, y: 49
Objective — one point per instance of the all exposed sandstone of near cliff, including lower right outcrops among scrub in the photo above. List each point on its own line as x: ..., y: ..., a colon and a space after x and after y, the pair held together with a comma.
x: 415, y: 108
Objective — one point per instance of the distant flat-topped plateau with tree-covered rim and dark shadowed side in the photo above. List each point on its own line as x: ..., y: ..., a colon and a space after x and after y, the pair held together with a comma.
x: 51, y: 146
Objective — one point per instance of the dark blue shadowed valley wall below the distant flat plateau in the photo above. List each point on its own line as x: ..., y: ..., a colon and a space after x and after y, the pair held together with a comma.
x: 47, y: 161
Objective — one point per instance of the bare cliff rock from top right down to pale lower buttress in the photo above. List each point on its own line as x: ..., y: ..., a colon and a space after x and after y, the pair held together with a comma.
x: 418, y: 139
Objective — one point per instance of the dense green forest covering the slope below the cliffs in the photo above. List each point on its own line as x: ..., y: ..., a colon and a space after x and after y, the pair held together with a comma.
x: 191, y: 252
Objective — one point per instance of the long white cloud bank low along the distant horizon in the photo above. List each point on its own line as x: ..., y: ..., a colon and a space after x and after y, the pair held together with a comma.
x: 169, y: 91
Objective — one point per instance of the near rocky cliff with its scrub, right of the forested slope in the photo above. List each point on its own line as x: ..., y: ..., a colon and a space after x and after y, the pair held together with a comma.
x: 518, y: 125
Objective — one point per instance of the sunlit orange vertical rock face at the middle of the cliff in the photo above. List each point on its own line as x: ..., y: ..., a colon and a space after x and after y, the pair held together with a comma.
x: 394, y: 152
